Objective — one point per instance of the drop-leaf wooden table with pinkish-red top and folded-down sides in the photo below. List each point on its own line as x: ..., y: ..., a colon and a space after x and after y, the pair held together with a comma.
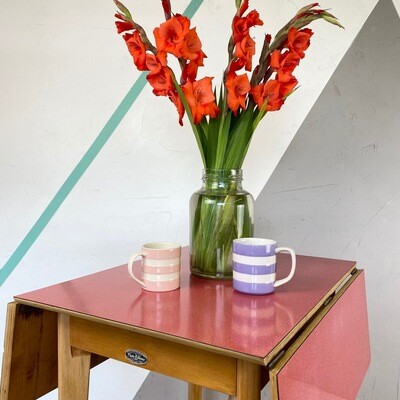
x: 205, y: 333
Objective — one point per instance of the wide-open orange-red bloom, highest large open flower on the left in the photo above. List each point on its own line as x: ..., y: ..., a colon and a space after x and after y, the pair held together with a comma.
x: 171, y: 34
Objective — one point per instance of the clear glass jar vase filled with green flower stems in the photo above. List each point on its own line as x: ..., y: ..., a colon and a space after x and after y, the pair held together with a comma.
x: 219, y: 212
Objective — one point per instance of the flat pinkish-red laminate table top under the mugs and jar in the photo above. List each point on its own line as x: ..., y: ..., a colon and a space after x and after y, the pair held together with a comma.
x: 202, y: 311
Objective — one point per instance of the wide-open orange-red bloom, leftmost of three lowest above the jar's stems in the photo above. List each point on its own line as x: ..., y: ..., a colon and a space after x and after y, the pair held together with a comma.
x: 200, y: 98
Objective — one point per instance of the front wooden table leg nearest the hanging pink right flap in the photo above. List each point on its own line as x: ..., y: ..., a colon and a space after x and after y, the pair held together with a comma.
x: 248, y: 381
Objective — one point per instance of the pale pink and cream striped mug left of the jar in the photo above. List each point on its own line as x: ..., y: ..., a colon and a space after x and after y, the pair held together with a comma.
x: 161, y: 264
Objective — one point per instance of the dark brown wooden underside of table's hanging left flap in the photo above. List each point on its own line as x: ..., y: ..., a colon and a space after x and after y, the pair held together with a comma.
x: 30, y: 353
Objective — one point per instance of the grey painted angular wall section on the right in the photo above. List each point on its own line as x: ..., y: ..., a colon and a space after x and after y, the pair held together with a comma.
x: 336, y: 191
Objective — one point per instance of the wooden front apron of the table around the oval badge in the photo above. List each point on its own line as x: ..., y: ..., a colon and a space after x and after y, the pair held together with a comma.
x: 194, y: 365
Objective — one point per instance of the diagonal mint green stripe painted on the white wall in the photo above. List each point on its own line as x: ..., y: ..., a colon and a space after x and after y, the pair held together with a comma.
x: 82, y: 166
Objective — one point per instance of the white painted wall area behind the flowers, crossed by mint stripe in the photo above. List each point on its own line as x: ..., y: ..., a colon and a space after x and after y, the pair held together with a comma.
x: 64, y: 71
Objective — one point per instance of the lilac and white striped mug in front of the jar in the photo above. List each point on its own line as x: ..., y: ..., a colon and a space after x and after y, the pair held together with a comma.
x: 254, y: 265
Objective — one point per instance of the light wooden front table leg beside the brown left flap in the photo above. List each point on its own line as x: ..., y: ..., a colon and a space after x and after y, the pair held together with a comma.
x: 73, y: 365
